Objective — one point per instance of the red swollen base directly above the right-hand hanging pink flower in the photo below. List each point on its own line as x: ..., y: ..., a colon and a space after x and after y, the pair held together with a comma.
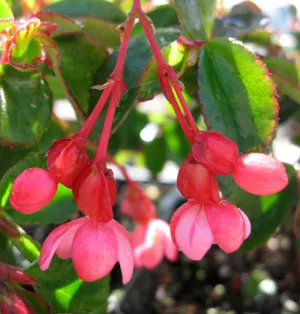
x: 195, y: 182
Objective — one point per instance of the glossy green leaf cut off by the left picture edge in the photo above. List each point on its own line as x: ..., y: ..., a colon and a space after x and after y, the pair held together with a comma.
x: 25, y: 106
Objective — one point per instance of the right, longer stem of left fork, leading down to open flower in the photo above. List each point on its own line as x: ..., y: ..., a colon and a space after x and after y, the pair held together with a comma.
x: 103, y: 143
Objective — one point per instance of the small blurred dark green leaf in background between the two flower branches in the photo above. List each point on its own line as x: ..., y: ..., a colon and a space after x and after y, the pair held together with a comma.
x: 156, y: 155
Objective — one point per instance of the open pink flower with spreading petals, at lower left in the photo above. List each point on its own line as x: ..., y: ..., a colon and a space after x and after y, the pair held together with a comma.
x: 95, y: 247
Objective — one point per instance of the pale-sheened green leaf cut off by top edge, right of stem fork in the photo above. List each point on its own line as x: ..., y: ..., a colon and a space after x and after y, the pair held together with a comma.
x: 196, y: 17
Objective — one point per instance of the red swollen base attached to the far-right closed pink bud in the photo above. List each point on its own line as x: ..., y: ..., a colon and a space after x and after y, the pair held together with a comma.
x: 215, y: 152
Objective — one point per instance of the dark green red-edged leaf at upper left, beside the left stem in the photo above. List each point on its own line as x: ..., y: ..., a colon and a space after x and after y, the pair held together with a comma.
x: 77, y: 70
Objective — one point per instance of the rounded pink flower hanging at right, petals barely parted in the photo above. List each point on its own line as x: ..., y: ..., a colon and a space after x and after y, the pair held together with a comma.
x: 196, y: 226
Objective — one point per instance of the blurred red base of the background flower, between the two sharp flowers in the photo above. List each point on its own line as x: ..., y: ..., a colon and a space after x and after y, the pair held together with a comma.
x: 137, y: 204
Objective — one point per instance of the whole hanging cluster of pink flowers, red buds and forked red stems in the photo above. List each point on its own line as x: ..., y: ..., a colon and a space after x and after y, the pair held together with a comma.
x: 96, y: 242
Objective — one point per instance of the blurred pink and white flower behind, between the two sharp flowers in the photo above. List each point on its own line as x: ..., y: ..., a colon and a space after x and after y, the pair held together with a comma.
x: 150, y: 242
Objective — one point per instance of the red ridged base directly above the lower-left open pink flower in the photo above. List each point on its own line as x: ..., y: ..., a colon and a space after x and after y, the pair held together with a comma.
x: 95, y: 192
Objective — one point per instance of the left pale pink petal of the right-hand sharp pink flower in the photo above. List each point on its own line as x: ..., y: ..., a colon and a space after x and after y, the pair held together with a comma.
x: 192, y: 232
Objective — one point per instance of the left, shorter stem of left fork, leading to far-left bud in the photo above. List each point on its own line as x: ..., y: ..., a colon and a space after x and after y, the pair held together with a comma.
x: 91, y: 120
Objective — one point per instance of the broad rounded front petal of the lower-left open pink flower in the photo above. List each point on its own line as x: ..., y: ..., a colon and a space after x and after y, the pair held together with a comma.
x: 94, y: 250
